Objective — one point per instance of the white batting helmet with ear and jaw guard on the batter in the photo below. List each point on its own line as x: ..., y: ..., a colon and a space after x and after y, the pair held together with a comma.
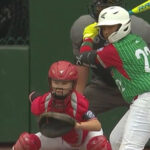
x: 112, y: 16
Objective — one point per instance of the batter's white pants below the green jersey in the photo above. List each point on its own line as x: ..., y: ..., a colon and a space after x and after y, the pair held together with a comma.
x: 133, y: 130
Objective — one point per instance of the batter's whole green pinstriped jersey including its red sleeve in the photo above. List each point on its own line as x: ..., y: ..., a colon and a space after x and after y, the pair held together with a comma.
x: 129, y: 60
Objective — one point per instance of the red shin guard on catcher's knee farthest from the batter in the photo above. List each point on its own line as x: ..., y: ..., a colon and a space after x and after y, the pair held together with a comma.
x: 27, y: 141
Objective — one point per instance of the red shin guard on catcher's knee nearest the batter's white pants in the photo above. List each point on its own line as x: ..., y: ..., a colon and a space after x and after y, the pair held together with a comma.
x: 99, y: 143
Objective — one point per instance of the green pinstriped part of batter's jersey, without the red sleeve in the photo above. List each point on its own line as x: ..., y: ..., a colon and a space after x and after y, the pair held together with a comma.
x: 135, y: 57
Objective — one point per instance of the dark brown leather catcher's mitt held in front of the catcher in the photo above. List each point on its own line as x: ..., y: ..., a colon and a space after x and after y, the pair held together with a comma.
x: 52, y: 124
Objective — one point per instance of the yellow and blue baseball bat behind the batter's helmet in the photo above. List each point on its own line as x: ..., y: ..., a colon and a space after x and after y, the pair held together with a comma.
x: 140, y: 8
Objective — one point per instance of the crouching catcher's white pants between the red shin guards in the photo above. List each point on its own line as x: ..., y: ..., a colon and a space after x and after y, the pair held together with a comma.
x: 59, y: 144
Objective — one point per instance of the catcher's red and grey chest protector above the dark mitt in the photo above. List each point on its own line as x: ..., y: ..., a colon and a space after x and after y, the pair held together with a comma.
x: 75, y: 105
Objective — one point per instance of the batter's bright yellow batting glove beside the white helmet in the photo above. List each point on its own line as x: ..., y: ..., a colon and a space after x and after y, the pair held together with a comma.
x: 91, y: 31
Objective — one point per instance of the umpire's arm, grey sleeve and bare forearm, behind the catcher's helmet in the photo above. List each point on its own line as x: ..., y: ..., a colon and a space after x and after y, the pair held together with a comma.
x: 76, y: 36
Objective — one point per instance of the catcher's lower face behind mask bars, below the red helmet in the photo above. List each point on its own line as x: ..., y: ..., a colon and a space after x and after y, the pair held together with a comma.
x: 61, y: 88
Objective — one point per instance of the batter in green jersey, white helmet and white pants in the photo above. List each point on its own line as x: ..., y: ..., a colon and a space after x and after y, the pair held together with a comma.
x: 128, y: 57
